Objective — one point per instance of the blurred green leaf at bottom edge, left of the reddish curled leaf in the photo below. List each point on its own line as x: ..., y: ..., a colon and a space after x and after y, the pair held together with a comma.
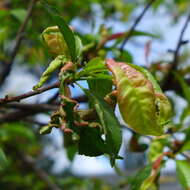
x: 140, y: 177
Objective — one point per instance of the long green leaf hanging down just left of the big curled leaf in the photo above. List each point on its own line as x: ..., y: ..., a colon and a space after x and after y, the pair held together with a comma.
x: 110, y: 124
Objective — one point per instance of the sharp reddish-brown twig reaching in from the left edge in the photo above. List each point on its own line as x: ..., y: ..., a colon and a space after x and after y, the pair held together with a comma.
x: 8, y: 99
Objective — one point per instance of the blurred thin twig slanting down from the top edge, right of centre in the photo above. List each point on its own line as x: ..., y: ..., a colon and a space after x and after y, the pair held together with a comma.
x: 135, y: 24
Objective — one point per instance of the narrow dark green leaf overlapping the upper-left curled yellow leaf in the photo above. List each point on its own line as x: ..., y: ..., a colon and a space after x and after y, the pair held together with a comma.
x: 64, y: 29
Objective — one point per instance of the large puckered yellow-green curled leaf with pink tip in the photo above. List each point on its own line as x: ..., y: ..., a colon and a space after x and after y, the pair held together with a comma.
x: 142, y: 104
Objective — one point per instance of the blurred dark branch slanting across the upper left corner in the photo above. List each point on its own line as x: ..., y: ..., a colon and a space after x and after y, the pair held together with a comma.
x: 7, y: 68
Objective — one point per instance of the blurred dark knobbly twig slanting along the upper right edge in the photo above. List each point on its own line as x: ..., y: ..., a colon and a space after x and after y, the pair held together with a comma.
x: 168, y: 78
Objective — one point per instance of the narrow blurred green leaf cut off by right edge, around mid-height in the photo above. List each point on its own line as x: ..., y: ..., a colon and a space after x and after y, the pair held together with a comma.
x: 185, y: 87
